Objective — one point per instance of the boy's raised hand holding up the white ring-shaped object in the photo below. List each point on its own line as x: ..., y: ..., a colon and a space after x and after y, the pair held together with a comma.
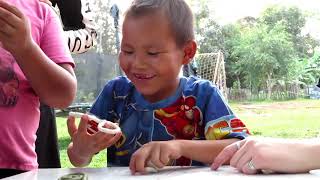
x: 85, y: 145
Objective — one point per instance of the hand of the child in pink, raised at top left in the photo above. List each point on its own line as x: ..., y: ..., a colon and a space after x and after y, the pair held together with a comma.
x: 15, y: 34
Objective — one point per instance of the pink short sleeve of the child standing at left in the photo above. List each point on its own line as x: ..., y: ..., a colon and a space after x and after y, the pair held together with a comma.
x: 52, y: 41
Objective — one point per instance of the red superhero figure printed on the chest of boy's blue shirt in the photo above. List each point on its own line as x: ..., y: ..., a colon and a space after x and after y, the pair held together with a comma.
x: 182, y: 120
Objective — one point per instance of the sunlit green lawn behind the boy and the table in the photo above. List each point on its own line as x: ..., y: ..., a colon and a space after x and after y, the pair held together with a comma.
x: 287, y: 119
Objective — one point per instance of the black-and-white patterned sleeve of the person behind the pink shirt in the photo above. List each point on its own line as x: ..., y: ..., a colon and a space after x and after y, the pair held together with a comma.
x: 78, y: 24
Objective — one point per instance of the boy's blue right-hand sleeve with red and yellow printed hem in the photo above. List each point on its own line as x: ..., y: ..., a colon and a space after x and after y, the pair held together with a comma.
x: 221, y: 123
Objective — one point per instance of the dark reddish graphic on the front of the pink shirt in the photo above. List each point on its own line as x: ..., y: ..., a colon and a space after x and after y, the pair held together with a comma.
x: 9, y: 82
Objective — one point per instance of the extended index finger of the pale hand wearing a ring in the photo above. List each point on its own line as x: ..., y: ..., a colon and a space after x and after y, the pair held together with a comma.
x: 225, y: 155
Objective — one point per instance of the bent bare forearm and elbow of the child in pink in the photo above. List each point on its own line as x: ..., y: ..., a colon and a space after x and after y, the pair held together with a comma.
x: 53, y: 84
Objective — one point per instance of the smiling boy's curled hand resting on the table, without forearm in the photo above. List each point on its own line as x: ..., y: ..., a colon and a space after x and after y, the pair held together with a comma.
x: 158, y: 153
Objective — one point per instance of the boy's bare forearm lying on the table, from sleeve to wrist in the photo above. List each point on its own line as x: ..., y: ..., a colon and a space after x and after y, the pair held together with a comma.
x: 203, y: 150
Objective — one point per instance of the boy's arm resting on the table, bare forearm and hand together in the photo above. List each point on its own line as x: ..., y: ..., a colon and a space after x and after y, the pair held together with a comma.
x: 158, y: 154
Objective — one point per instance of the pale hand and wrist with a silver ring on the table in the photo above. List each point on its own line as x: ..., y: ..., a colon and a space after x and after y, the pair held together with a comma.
x: 268, y: 155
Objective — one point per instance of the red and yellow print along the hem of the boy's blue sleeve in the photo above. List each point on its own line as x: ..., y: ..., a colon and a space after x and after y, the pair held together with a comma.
x: 219, y: 129
